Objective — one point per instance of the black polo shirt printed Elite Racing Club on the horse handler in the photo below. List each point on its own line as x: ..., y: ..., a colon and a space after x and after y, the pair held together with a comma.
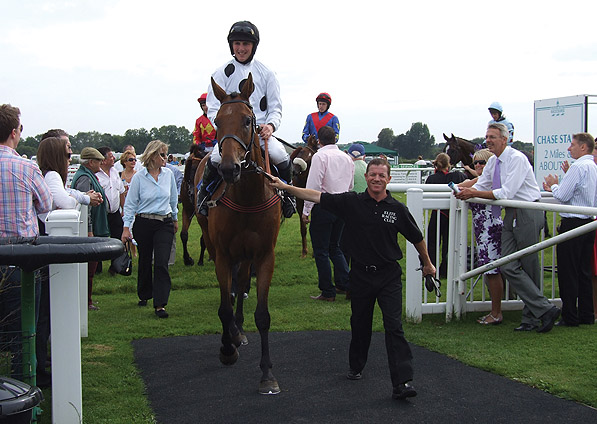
x: 371, y: 233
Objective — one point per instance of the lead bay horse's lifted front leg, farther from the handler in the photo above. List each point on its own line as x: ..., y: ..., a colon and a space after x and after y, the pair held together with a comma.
x: 230, y: 334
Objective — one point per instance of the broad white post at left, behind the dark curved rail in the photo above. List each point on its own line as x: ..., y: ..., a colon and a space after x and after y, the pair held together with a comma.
x: 67, y: 398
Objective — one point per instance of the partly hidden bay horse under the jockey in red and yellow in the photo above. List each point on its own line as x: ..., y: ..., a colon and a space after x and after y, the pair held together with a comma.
x: 187, y: 198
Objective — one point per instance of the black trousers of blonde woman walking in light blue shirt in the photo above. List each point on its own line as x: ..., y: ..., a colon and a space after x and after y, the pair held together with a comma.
x: 153, y: 237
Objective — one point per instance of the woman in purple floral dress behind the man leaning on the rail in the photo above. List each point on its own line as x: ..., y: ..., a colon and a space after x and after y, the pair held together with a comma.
x: 488, y: 231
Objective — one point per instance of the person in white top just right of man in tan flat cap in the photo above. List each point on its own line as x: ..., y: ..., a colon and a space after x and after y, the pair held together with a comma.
x: 114, y: 189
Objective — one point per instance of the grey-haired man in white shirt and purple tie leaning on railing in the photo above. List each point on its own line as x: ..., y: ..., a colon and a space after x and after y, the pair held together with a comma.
x: 508, y: 175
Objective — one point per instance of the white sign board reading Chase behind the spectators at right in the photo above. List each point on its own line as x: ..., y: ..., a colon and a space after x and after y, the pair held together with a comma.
x: 556, y: 120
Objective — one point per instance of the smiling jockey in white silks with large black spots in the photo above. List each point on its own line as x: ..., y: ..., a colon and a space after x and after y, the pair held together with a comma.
x: 243, y: 39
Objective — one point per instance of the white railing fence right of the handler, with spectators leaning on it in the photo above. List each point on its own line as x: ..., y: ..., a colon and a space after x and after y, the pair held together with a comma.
x: 458, y: 290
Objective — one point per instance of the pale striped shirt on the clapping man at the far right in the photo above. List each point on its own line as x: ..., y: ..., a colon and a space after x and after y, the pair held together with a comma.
x: 578, y: 186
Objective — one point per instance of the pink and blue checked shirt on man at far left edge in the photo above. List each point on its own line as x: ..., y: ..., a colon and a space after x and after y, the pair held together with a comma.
x: 23, y: 195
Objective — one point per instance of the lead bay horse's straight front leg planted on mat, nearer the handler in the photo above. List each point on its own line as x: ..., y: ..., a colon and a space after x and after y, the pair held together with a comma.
x: 265, y: 271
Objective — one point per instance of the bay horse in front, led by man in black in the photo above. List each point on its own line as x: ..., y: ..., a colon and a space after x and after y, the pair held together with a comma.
x: 243, y: 225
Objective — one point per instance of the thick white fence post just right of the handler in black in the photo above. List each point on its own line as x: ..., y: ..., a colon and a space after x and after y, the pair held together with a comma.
x: 414, y: 286
